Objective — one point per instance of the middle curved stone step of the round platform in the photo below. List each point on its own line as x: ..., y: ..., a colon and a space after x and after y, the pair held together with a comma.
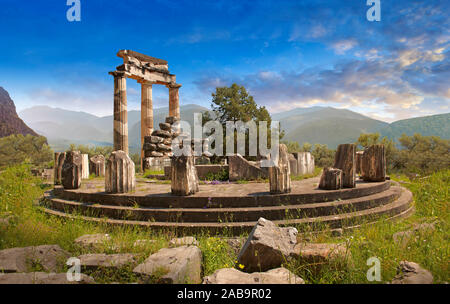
x: 224, y: 214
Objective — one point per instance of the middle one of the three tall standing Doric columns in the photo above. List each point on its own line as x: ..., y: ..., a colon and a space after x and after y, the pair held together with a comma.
x: 146, y: 113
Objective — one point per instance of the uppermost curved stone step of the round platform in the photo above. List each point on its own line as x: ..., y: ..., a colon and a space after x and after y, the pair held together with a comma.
x: 305, y: 195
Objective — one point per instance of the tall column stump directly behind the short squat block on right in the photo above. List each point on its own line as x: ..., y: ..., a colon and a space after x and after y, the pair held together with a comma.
x: 345, y: 160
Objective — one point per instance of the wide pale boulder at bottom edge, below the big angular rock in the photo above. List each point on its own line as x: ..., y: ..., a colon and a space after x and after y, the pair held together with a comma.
x: 234, y: 276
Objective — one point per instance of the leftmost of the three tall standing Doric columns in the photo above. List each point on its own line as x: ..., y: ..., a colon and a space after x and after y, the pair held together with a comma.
x: 120, y: 112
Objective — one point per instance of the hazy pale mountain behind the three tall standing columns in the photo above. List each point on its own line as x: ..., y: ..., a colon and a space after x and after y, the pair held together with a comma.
x: 63, y: 127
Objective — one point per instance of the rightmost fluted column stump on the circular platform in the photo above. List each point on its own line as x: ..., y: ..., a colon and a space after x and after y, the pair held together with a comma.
x: 374, y: 164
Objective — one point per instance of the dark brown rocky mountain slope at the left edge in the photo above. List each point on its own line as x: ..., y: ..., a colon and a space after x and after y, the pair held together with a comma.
x: 10, y: 123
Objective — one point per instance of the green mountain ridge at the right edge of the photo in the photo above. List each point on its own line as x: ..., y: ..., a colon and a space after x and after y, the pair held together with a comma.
x: 438, y: 125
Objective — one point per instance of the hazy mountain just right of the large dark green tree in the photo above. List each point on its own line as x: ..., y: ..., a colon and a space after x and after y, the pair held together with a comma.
x: 326, y: 125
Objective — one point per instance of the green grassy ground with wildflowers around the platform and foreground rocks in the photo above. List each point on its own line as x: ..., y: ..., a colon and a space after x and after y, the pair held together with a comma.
x: 19, y: 193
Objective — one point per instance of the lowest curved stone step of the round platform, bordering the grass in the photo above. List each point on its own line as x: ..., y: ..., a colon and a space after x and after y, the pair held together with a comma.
x: 401, y: 207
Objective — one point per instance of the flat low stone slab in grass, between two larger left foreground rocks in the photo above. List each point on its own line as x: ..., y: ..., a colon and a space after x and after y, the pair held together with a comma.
x: 94, y: 261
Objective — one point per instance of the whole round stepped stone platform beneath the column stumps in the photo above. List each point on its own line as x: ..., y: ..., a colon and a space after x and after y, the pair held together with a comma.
x: 232, y: 206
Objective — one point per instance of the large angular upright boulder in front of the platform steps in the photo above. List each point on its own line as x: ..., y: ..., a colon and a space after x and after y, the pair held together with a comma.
x: 267, y: 246
